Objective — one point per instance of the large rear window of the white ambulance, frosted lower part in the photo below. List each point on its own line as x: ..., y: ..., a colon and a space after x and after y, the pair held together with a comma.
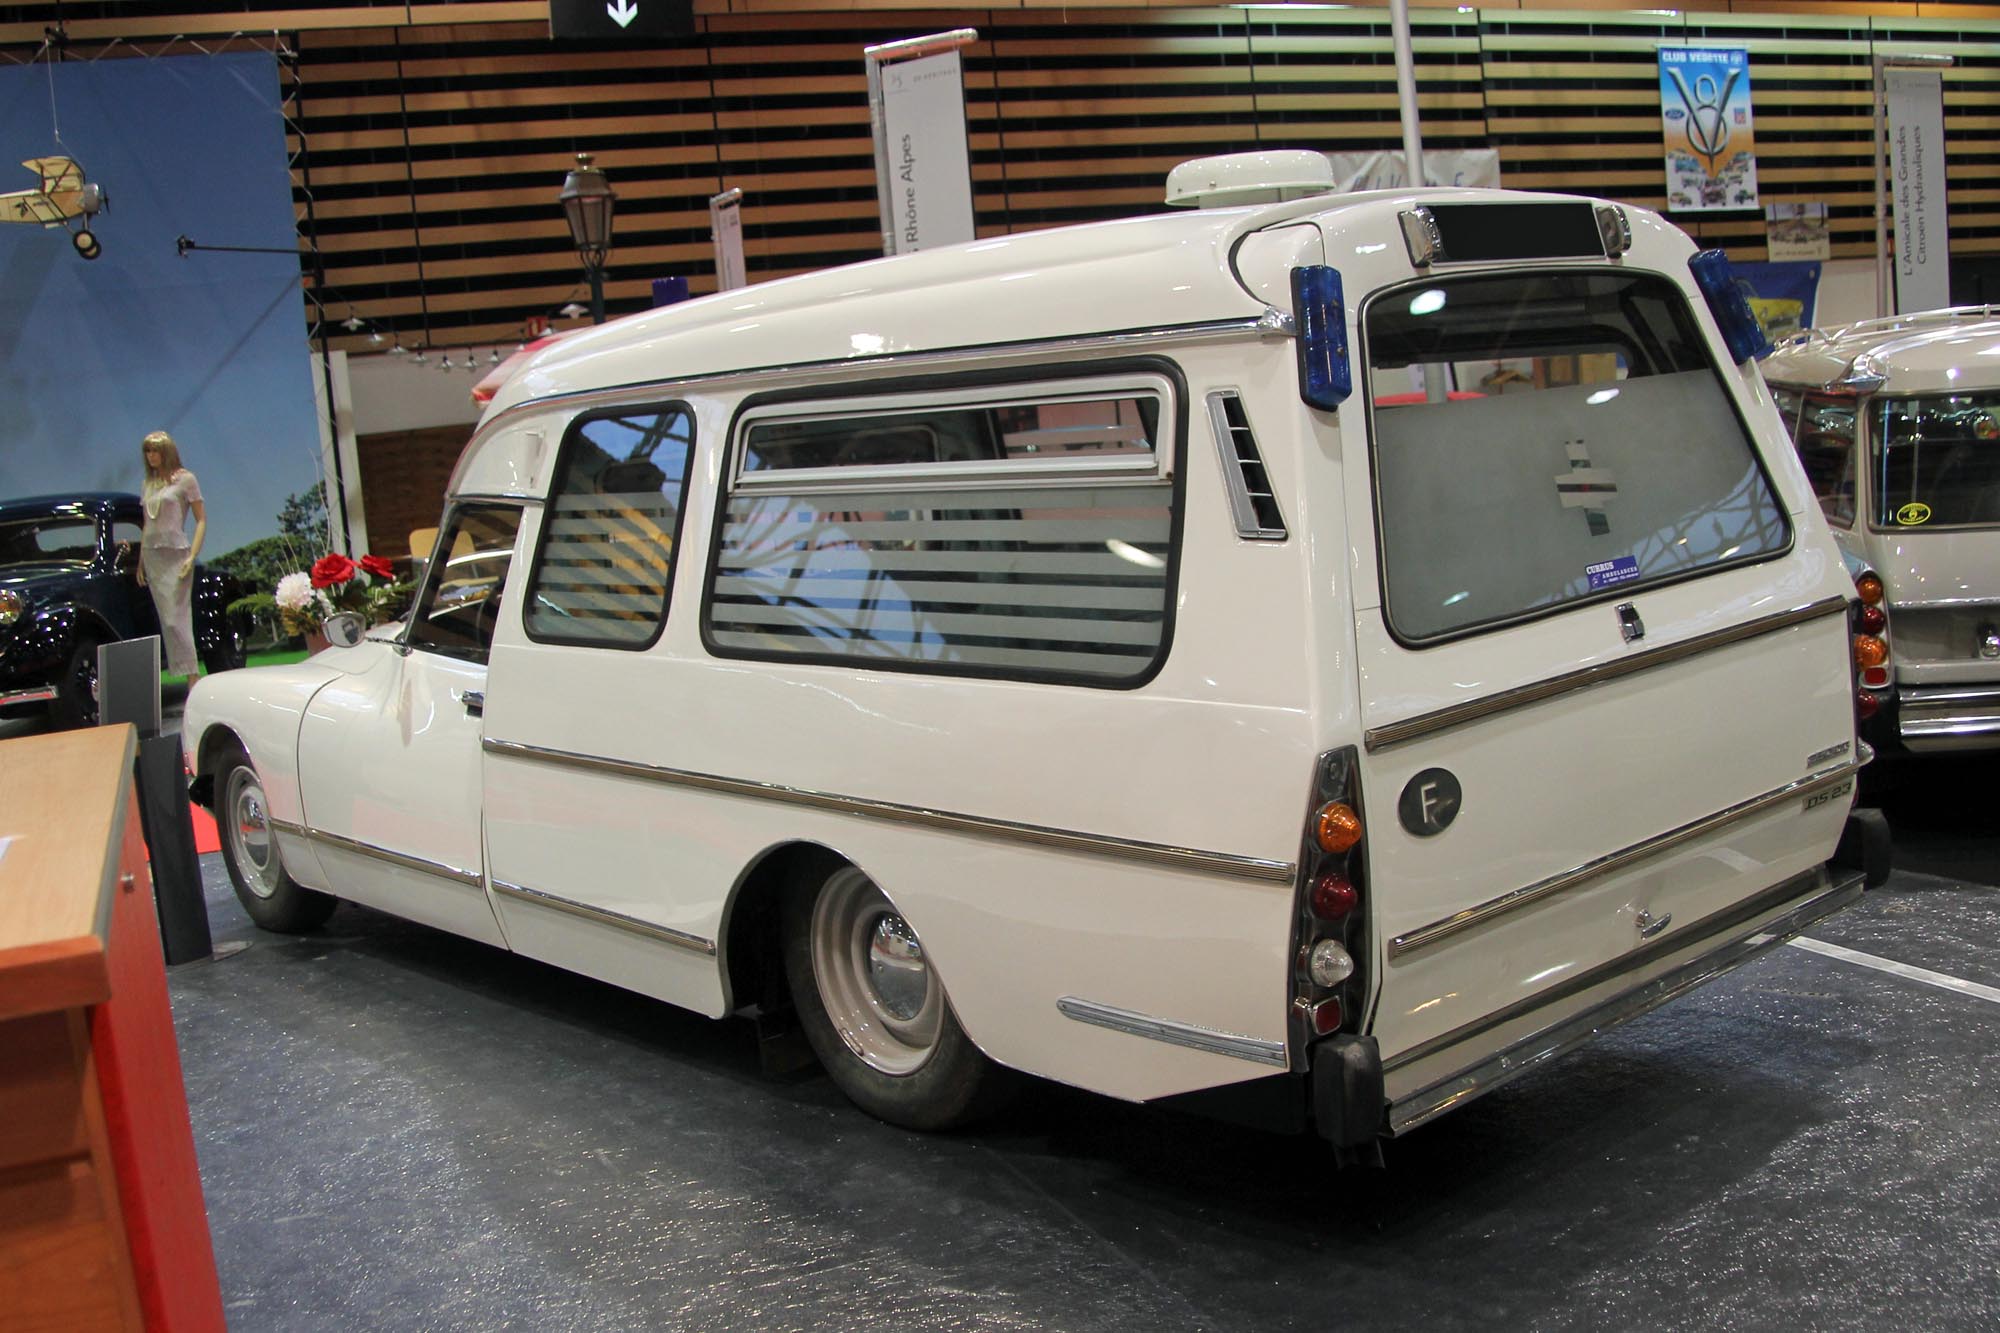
x: 1545, y: 439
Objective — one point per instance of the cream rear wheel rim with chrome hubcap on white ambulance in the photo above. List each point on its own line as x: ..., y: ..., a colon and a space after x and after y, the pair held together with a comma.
x: 873, y: 976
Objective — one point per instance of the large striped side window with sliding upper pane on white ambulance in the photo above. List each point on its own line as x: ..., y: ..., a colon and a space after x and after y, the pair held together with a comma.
x: 1027, y: 533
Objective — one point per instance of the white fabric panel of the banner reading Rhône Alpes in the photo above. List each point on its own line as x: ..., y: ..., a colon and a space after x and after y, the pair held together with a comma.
x: 923, y: 167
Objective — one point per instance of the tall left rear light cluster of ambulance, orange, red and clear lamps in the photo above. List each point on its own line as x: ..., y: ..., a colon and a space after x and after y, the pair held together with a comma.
x: 1329, y: 984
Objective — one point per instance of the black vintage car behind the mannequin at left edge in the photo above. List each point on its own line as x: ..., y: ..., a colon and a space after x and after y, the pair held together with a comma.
x: 67, y: 585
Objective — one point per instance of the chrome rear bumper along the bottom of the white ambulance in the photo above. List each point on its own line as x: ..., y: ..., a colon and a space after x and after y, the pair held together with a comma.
x: 1505, y: 1046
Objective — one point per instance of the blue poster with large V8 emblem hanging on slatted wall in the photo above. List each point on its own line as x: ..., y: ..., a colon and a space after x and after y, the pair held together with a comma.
x: 1705, y: 109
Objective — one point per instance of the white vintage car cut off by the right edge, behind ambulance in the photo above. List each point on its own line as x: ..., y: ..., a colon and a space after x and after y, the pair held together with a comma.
x: 1899, y: 427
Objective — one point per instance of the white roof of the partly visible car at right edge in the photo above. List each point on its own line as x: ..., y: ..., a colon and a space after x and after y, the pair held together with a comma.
x: 1911, y: 353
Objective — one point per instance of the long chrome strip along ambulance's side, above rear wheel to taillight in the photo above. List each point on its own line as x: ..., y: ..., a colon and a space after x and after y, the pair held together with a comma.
x: 1035, y: 836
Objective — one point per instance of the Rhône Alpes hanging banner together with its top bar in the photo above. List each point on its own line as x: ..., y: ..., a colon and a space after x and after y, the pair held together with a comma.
x: 941, y: 177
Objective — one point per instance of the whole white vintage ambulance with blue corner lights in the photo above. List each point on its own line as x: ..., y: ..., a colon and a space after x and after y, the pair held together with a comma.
x: 1309, y: 659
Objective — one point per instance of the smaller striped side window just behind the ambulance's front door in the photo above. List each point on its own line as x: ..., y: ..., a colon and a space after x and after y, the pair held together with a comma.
x: 609, y: 531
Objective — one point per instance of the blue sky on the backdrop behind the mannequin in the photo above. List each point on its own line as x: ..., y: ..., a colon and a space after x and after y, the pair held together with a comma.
x: 211, y: 347
